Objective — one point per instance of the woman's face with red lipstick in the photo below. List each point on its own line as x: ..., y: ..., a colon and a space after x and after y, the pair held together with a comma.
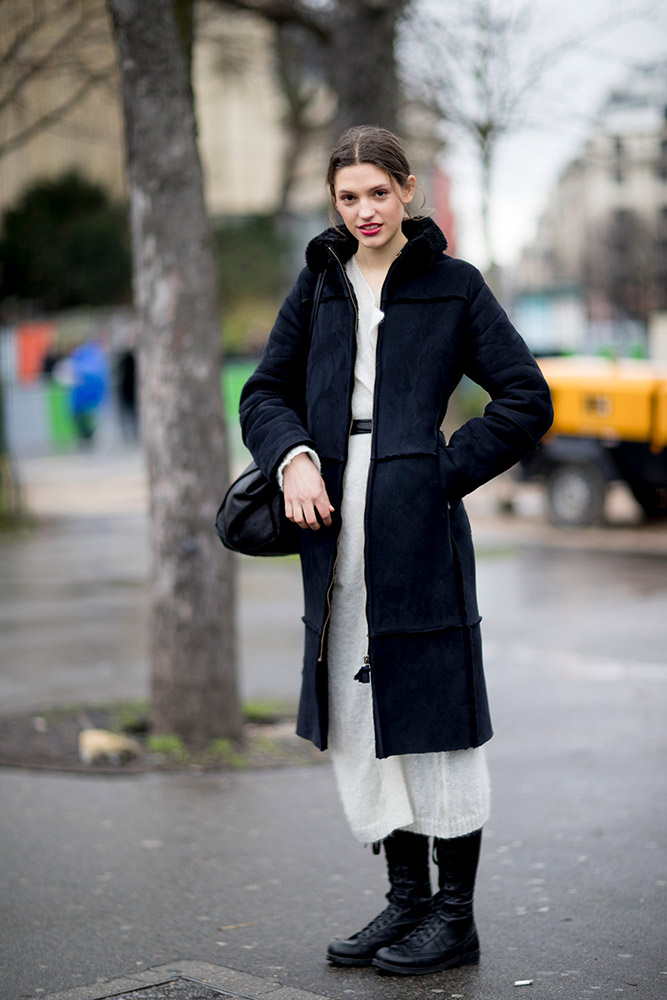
x: 372, y: 205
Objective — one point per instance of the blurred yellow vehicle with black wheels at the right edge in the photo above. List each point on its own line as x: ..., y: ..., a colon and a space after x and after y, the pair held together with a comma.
x: 610, y: 424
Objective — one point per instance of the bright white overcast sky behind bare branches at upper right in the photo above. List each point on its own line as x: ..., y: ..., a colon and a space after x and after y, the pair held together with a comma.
x: 529, y: 162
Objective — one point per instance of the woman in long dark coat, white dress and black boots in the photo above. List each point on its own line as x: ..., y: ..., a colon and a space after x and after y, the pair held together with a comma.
x: 349, y: 423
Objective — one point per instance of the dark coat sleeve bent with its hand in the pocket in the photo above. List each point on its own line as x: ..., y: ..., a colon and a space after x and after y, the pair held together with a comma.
x: 520, y: 411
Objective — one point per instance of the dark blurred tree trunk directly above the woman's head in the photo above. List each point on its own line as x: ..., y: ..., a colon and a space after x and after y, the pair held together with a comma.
x: 363, y: 63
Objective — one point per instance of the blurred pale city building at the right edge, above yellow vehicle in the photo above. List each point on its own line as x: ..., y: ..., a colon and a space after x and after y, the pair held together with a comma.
x: 596, y: 273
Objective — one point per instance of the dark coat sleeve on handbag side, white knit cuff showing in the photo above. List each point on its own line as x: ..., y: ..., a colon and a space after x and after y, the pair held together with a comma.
x: 272, y: 400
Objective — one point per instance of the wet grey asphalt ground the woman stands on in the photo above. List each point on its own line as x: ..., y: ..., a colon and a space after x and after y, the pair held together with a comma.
x: 102, y: 877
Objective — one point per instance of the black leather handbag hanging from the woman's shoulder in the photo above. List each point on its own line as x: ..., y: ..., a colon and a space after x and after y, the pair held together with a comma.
x: 251, y: 518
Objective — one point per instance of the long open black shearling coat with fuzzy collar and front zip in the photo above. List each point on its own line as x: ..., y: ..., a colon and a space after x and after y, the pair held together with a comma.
x: 441, y: 322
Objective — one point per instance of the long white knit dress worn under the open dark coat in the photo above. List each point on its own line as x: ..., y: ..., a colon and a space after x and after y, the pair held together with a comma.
x: 437, y: 794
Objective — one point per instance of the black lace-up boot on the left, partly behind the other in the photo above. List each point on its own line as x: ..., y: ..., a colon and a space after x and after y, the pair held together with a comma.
x: 409, y: 899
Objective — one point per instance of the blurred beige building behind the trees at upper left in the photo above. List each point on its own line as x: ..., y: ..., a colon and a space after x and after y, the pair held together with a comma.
x: 65, y: 110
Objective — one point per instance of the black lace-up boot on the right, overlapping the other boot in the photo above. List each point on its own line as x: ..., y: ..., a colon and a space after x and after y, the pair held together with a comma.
x: 447, y: 936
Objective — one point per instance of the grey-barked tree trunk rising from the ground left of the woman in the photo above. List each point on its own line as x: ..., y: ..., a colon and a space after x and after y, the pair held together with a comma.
x: 192, y: 642
